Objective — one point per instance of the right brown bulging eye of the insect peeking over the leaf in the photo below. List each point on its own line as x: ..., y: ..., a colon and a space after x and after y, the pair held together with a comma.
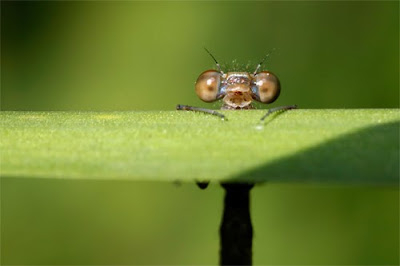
x: 266, y: 87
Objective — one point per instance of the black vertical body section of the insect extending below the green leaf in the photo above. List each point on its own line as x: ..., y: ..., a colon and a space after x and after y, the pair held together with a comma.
x: 236, y: 231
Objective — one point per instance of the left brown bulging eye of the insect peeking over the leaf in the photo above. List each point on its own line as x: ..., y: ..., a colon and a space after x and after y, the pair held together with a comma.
x: 208, y: 85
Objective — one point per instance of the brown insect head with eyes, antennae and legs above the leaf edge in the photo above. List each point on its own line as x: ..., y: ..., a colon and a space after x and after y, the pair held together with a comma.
x: 237, y: 90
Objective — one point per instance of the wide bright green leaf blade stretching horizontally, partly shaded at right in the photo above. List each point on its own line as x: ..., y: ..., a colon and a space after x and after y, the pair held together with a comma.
x: 336, y: 146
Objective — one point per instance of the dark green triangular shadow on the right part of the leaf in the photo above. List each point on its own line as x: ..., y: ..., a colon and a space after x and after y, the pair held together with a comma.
x: 371, y: 158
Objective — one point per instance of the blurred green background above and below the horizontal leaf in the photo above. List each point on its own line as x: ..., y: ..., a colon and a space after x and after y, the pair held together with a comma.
x: 146, y: 56
